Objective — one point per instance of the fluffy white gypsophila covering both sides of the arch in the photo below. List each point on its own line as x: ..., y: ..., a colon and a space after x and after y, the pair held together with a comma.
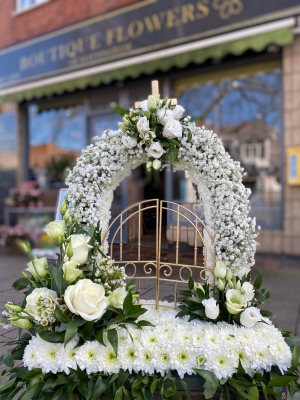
x: 106, y: 162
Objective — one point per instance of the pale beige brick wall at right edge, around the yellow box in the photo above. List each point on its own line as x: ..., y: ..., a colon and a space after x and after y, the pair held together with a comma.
x: 287, y: 241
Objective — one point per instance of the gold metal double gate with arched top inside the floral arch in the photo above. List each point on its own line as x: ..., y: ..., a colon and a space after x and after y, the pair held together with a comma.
x: 160, y: 244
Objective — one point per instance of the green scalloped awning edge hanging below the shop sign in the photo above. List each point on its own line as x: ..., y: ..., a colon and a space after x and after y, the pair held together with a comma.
x: 257, y: 43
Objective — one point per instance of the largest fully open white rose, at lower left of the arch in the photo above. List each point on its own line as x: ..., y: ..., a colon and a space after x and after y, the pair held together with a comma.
x: 86, y: 299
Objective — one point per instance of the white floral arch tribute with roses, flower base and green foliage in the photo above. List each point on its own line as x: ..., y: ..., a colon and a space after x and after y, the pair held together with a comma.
x: 87, y: 336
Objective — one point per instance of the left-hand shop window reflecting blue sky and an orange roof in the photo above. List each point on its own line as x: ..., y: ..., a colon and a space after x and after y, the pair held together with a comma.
x: 56, y: 138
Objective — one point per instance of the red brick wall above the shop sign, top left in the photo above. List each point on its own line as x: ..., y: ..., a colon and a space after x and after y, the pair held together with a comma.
x: 49, y: 17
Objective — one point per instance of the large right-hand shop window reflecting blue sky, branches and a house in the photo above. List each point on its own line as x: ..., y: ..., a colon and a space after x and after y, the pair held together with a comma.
x: 246, y: 114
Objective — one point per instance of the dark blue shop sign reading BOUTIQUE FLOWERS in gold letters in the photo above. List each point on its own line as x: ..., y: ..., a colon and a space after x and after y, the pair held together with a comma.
x: 142, y: 27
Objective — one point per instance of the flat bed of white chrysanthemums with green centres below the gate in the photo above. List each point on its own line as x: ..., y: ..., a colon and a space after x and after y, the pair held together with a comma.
x: 173, y: 344
